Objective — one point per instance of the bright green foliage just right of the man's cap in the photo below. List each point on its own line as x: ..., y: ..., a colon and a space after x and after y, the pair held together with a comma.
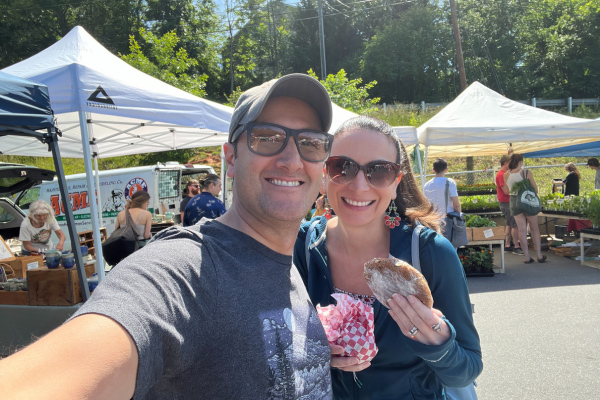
x: 347, y: 93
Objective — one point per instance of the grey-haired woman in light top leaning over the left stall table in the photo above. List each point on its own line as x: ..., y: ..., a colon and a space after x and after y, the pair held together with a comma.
x: 37, y: 228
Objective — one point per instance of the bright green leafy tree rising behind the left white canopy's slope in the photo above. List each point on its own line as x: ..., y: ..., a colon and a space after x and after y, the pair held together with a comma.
x: 165, y: 62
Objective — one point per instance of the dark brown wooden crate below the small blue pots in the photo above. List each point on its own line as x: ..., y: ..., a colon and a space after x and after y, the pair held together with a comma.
x: 55, y: 287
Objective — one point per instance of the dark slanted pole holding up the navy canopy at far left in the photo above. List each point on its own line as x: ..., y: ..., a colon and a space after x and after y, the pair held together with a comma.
x: 64, y: 194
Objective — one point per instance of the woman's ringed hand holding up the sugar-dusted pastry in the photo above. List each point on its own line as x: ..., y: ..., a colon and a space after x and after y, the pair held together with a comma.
x: 410, y: 313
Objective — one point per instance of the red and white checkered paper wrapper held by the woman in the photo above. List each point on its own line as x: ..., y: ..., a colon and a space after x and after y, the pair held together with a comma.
x: 350, y: 324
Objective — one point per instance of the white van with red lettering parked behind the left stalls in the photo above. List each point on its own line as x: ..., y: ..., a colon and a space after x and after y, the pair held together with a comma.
x: 162, y: 181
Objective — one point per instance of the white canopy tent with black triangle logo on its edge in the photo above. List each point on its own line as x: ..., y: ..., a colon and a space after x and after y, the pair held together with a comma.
x: 99, y: 99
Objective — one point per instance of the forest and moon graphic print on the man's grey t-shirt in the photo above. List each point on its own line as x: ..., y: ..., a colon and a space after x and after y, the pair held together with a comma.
x: 297, y: 354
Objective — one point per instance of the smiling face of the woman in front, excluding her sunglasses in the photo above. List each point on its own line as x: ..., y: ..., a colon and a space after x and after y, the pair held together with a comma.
x: 358, y: 203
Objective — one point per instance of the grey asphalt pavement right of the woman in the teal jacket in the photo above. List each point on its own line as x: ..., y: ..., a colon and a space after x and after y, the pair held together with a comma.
x: 540, y: 330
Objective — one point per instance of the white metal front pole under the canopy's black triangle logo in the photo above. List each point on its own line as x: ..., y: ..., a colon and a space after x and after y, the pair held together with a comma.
x: 89, y: 175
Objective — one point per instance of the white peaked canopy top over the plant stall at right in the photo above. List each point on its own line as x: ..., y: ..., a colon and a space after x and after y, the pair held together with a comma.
x: 482, y: 122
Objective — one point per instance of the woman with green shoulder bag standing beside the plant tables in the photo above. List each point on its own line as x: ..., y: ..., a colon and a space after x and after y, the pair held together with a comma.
x: 515, y: 174
